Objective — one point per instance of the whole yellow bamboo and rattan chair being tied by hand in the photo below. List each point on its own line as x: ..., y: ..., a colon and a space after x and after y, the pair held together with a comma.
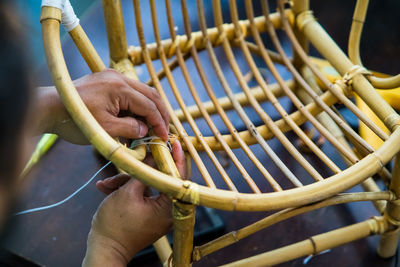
x: 310, y: 92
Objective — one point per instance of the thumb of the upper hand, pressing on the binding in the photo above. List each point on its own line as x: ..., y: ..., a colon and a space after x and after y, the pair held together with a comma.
x: 127, y: 127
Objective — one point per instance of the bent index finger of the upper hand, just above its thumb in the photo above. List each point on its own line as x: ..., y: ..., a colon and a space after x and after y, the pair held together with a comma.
x: 139, y: 104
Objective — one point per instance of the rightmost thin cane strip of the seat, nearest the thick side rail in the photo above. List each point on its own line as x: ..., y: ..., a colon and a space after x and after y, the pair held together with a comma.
x: 333, y: 88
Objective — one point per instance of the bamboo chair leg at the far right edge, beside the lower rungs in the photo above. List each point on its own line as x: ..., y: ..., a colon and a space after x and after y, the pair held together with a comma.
x: 388, y: 241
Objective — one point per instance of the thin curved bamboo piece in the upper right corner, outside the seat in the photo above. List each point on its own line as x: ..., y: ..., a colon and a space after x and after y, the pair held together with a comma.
x: 354, y: 47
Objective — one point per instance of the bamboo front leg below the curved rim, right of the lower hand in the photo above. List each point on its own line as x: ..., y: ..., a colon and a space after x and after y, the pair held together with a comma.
x: 184, y: 219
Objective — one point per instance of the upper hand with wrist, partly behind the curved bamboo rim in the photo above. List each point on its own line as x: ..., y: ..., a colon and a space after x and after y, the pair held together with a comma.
x: 109, y: 96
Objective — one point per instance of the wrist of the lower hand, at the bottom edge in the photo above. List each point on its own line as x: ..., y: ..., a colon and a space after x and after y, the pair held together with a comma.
x: 106, y: 251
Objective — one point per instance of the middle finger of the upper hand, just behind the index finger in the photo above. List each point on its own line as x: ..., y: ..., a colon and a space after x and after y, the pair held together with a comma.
x: 152, y: 94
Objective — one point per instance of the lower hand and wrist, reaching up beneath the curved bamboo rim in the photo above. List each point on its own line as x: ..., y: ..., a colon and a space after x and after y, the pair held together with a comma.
x: 129, y: 219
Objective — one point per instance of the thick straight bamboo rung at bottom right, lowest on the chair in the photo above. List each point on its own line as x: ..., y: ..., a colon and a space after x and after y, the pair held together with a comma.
x: 315, y: 244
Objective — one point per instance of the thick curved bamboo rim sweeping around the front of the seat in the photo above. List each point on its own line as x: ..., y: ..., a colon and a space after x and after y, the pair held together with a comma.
x: 185, y: 190
